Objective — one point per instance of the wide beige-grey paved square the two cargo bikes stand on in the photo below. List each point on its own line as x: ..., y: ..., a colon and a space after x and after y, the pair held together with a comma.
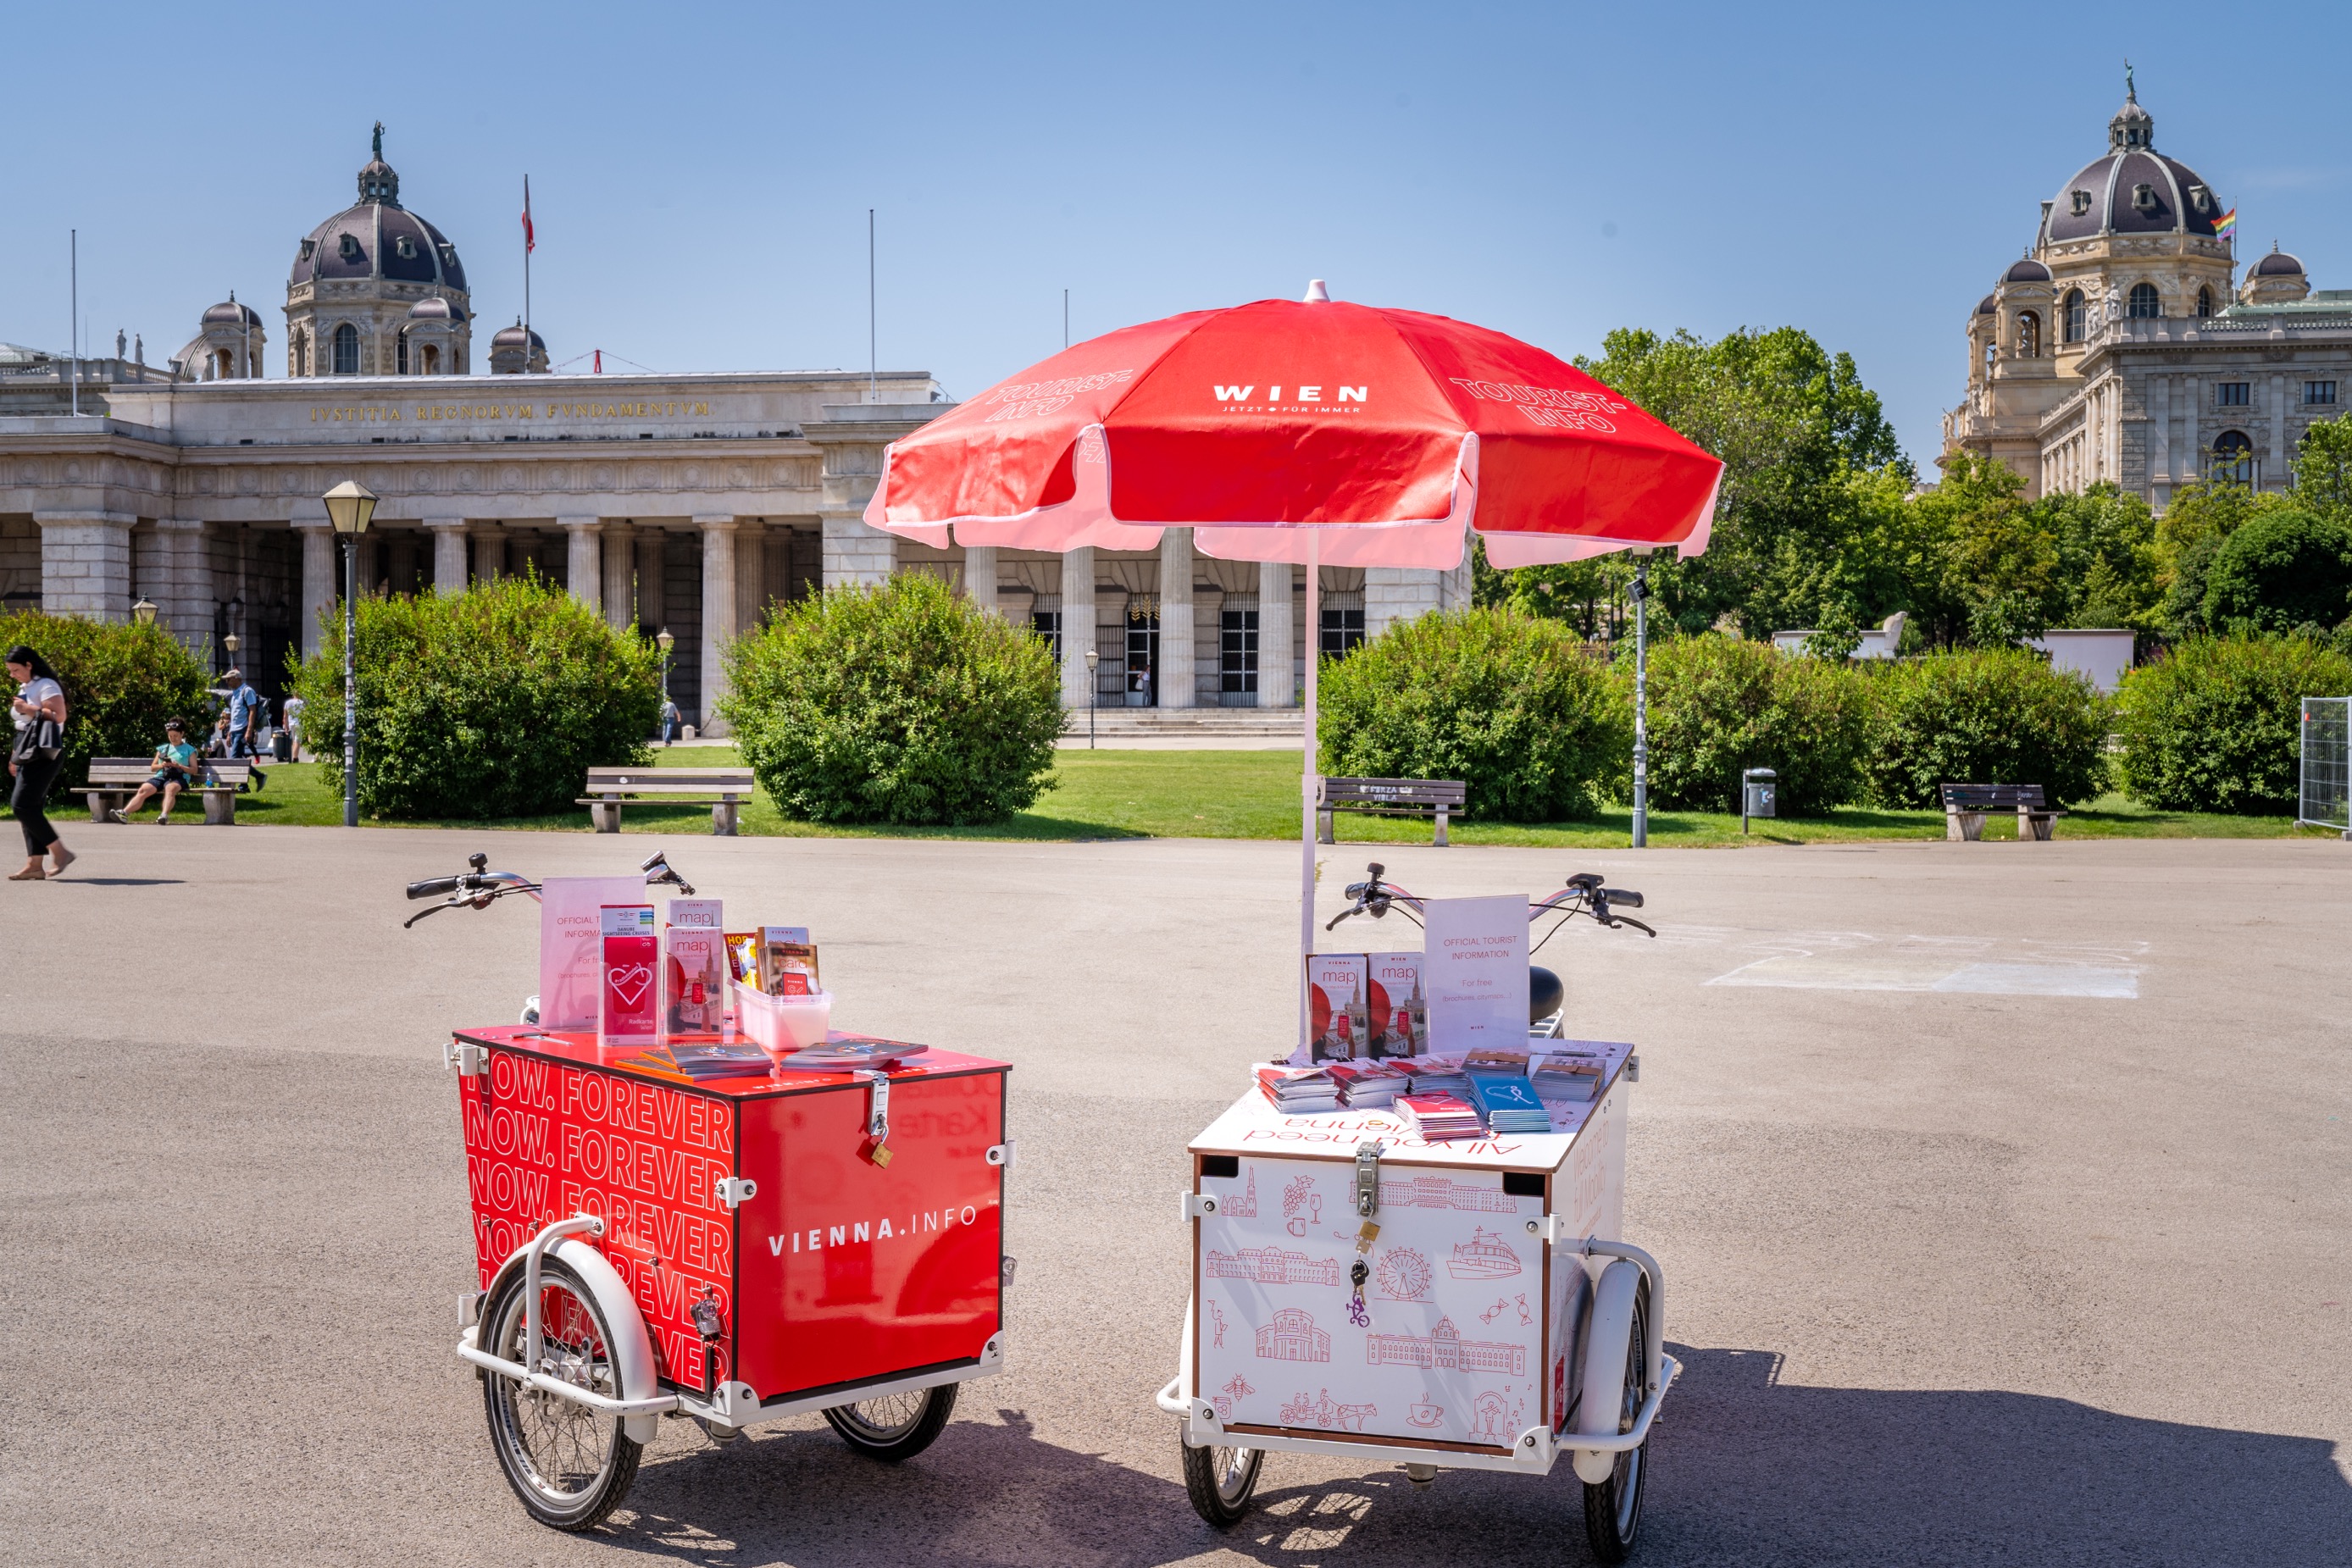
x: 2003, y: 1195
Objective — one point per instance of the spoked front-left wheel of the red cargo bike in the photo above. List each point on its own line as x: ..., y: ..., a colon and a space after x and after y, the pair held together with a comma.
x: 568, y: 1463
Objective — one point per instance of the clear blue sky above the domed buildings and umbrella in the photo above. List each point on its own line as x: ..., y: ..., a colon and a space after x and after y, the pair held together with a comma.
x: 702, y: 175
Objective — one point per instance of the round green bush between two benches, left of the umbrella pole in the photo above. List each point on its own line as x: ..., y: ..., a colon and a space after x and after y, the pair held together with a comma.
x: 897, y: 704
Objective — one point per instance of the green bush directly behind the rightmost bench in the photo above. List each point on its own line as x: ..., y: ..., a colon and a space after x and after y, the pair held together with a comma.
x: 1991, y: 716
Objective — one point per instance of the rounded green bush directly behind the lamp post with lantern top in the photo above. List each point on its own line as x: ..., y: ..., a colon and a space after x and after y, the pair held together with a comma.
x: 483, y: 704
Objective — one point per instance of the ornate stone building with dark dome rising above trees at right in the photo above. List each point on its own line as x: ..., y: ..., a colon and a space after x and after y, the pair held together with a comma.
x: 2123, y: 347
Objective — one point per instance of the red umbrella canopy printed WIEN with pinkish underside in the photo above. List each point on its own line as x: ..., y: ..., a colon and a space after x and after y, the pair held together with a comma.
x: 1372, y: 438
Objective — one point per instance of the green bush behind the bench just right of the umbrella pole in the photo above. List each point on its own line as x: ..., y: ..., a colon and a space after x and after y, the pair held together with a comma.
x: 1492, y: 697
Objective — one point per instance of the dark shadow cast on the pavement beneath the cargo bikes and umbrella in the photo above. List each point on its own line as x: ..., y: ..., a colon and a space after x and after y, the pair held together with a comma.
x: 1744, y: 1470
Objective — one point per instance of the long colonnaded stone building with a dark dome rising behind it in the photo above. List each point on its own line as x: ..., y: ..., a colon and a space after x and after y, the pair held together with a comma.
x: 683, y: 504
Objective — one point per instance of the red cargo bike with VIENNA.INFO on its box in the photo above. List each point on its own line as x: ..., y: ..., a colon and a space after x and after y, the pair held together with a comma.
x: 820, y: 1235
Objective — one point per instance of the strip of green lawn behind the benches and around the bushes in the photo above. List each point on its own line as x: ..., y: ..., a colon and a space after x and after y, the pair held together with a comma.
x: 1255, y: 796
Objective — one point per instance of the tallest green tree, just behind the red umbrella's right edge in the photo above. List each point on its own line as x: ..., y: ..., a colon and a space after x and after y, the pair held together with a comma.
x: 1796, y: 429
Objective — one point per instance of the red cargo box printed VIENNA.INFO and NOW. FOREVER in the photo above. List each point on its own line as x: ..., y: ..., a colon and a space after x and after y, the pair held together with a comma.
x: 827, y: 1273
